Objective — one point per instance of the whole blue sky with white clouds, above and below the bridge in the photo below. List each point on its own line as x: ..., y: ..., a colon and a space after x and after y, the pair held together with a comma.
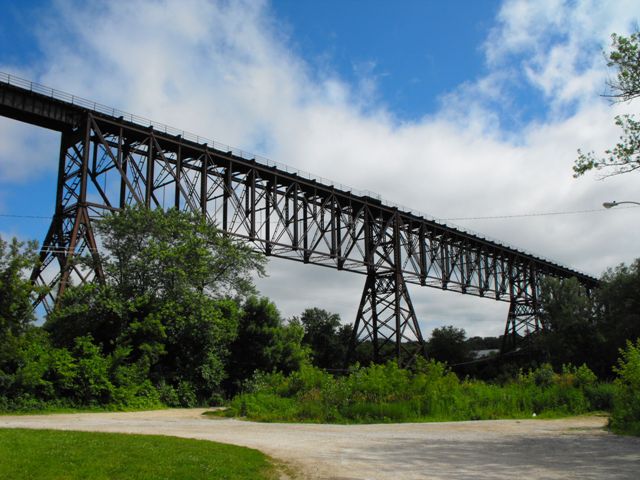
x: 462, y: 109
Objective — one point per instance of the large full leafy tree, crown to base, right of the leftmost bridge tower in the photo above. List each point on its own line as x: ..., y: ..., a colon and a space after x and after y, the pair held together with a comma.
x: 167, y: 310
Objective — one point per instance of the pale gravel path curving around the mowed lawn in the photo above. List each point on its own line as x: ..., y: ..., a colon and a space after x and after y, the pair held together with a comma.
x: 575, y: 448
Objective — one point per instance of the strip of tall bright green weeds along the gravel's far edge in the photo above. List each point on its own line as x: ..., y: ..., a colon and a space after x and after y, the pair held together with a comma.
x: 386, y: 393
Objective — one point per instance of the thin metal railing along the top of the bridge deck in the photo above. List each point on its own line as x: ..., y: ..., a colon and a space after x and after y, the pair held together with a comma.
x: 160, y: 127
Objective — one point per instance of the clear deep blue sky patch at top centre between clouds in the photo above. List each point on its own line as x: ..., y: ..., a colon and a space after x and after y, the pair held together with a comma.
x: 415, y: 50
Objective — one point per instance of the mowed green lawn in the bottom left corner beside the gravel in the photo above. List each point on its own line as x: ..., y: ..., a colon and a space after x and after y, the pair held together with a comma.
x: 49, y: 454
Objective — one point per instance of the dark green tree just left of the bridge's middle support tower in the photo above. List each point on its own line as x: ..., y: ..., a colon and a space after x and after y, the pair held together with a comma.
x: 327, y: 338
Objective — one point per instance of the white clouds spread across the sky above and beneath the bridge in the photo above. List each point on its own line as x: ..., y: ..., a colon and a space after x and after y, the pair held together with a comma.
x: 223, y: 70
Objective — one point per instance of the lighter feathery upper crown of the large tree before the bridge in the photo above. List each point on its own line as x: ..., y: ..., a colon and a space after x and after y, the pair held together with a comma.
x: 165, y: 253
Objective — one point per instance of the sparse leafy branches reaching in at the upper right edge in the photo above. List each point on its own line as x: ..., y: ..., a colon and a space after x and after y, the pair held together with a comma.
x: 624, y: 157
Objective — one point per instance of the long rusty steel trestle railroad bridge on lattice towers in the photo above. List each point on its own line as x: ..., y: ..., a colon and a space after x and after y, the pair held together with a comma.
x: 110, y: 159
